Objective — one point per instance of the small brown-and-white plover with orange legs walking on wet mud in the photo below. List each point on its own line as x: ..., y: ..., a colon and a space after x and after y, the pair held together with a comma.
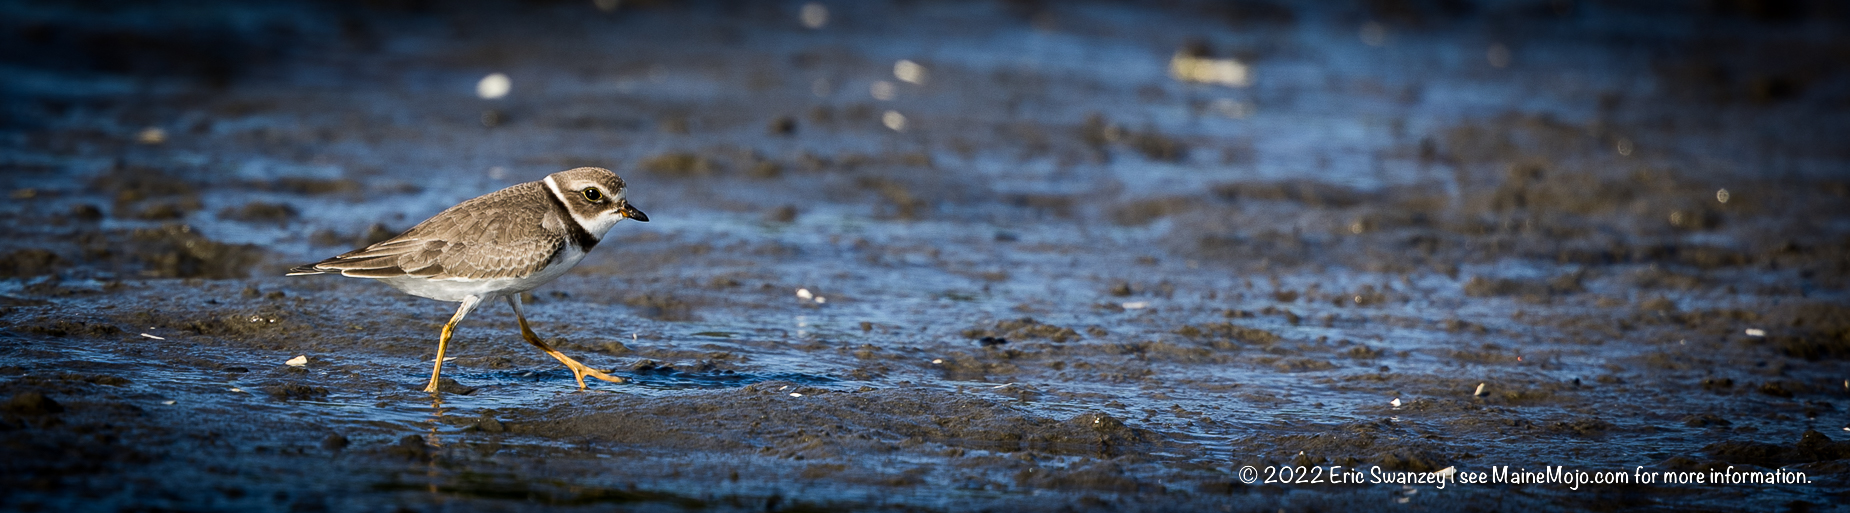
x: 497, y: 247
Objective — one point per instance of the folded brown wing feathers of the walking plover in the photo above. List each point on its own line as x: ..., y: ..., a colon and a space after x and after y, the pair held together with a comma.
x: 502, y: 234
